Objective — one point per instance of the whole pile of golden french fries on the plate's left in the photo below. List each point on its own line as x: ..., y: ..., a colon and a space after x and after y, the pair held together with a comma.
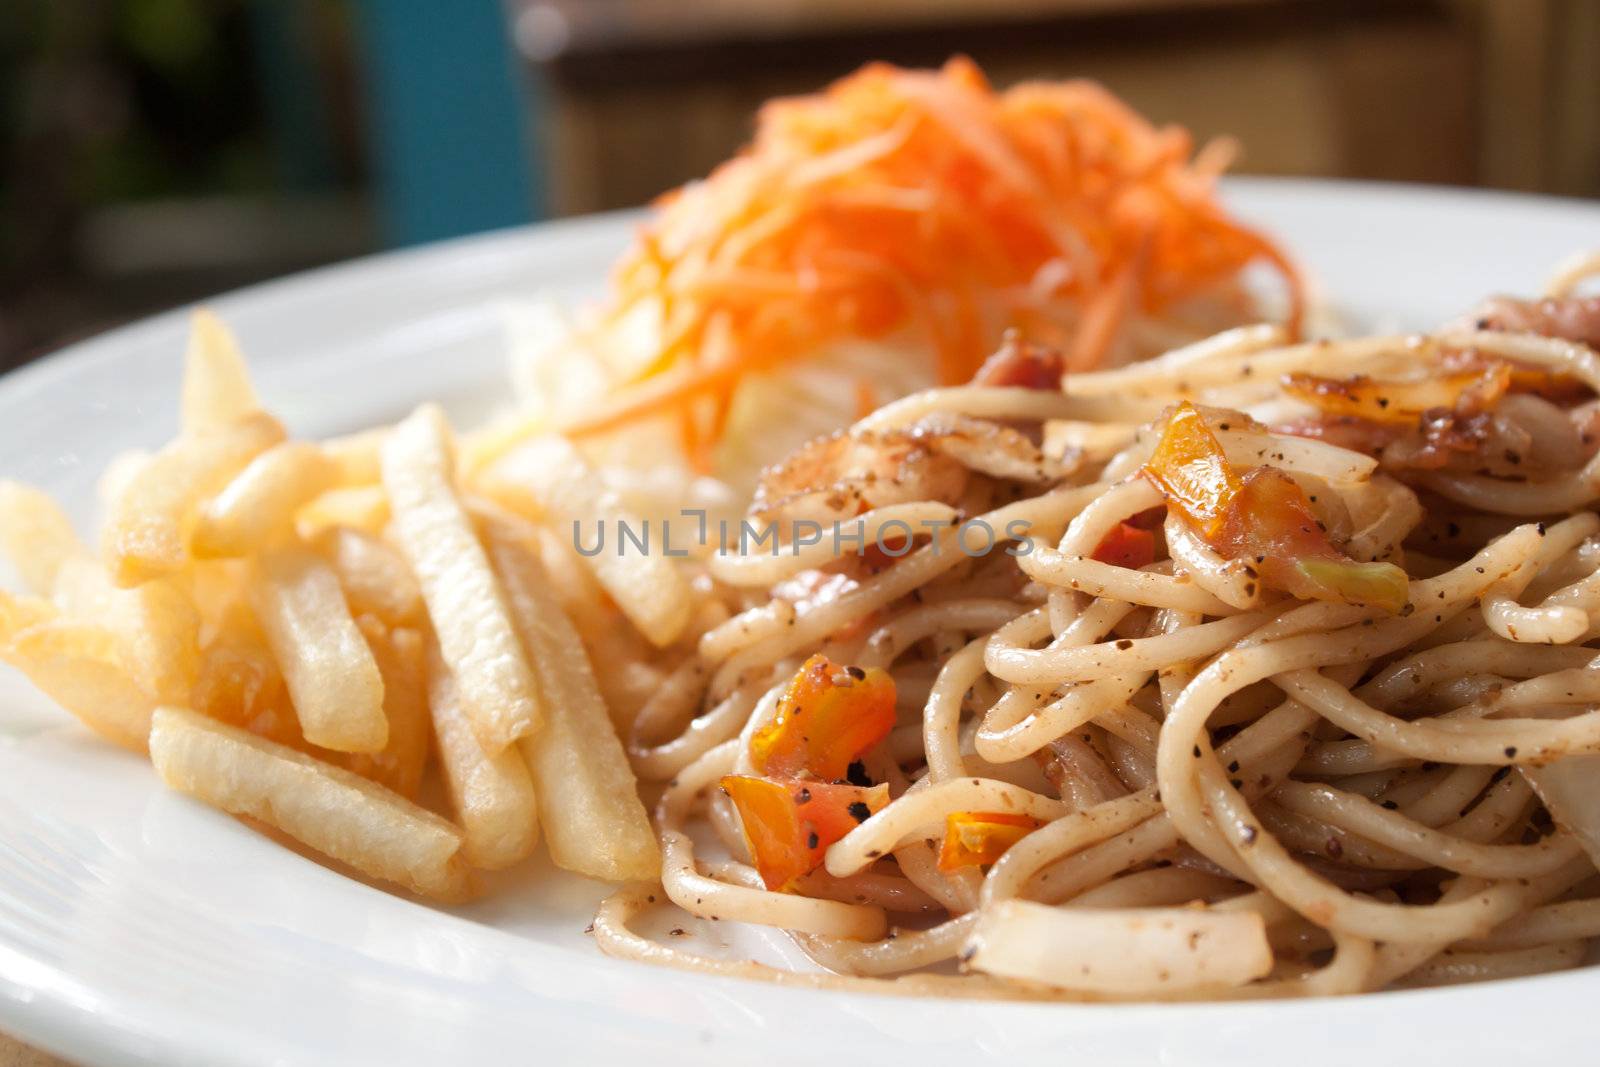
x: 314, y: 634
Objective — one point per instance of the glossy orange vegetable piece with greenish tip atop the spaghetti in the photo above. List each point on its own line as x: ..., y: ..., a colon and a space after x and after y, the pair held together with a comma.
x: 1263, y: 518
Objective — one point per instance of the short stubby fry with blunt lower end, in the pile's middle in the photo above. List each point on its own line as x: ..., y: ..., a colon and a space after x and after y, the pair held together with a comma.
x: 327, y: 666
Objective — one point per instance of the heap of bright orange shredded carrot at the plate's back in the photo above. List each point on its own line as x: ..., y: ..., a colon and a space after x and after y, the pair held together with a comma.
x: 922, y: 199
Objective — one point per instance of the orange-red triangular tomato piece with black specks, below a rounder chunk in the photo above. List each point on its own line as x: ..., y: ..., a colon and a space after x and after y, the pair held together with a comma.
x: 790, y: 823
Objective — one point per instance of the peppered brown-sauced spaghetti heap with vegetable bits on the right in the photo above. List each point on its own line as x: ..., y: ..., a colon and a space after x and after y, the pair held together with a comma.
x: 1287, y: 697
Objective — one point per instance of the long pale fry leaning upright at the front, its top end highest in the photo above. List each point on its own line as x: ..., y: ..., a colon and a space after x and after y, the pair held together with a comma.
x: 463, y: 596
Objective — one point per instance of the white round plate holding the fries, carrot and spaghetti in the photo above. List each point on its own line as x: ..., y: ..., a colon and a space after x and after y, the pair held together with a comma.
x: 142, y: 929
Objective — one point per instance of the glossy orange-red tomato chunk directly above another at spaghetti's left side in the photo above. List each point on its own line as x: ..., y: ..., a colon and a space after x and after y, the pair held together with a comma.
x: 828, y: 719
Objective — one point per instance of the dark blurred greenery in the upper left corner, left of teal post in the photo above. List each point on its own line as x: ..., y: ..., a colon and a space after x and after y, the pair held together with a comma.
x: 110, y: 103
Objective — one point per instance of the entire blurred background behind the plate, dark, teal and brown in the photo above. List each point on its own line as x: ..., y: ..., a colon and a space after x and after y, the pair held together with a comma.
x: 159, y: 151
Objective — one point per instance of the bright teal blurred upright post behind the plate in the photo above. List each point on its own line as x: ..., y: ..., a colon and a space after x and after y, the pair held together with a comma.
x: 450, y: 148
